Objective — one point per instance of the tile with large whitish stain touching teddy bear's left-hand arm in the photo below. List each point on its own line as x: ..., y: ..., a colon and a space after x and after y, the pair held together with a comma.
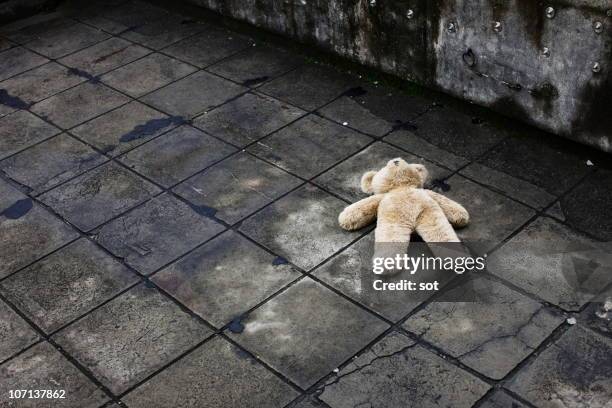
x: 302, y: 227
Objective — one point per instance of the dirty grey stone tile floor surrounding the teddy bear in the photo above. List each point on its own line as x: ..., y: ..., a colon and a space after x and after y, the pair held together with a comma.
x: 168, y: 200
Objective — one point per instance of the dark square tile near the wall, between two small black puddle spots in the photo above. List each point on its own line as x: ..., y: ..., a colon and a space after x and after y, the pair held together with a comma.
x: 309, y: 87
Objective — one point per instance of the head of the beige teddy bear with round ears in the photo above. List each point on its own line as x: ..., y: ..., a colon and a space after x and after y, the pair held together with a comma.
x: 397, y: 173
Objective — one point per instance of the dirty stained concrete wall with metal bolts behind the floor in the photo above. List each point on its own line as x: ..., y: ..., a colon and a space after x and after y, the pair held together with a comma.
x: 545, y: 62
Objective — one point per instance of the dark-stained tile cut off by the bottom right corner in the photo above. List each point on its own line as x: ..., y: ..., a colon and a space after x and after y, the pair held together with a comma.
x: 573, y: 372
